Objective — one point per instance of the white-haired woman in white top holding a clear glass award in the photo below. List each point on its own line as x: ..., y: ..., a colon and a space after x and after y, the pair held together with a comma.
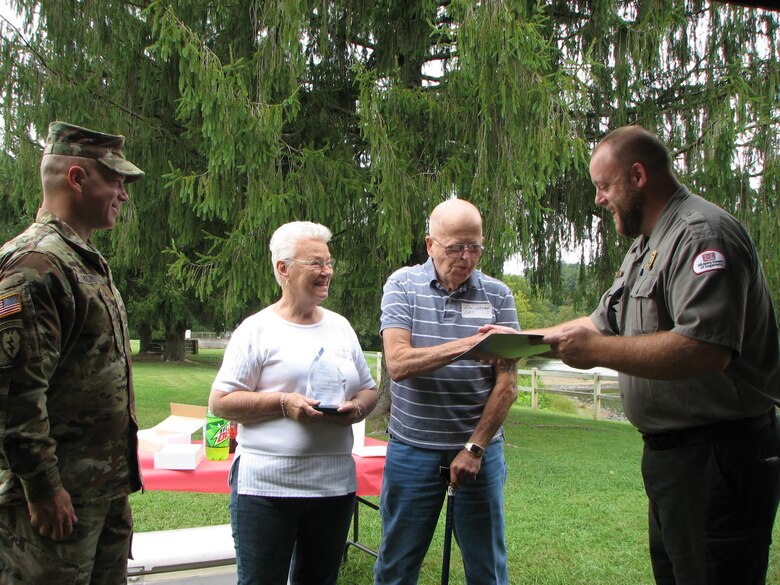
x: 295, y: 379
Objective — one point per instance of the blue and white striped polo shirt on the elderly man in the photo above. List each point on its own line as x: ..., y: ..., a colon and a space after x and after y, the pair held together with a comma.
x: 440, y: 410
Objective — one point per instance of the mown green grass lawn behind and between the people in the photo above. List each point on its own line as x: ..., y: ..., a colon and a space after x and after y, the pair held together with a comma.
x: 575, y: 505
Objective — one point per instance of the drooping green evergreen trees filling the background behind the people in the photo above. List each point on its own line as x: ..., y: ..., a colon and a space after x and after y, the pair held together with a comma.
x: 364, y: 115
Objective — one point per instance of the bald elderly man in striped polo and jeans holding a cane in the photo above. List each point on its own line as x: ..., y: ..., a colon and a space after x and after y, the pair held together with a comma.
x: 445, y: 413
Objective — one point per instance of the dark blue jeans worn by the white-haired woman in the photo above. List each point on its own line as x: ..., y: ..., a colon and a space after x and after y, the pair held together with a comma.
x: 300, y: 537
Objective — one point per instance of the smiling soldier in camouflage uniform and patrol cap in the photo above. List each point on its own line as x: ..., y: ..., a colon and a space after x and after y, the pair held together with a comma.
x: 67, y: 425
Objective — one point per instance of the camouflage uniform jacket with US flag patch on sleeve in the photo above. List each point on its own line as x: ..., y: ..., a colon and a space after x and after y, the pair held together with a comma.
x: 66, y: 395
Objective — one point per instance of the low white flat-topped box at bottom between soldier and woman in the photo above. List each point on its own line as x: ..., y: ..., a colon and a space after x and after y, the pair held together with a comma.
x: 196, y: 556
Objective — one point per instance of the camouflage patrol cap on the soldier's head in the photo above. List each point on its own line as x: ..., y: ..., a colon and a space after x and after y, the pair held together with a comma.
x: 72, y: 140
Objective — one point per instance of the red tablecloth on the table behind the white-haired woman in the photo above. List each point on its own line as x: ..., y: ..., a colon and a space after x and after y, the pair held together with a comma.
x: 211, y: 476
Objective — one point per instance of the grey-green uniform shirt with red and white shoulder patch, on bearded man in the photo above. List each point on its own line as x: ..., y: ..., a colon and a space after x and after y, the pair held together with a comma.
x: 697, y: 275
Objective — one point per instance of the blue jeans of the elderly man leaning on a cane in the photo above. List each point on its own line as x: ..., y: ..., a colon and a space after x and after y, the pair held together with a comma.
x: 413, y: 493
